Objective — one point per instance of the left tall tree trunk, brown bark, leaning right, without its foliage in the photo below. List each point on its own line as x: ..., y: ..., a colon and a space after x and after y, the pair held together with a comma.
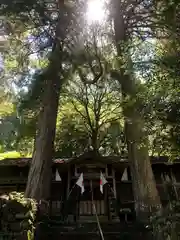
x: 39, y: 178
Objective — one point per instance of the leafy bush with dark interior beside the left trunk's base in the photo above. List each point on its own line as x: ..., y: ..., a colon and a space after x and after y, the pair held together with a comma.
x: 20, y: 211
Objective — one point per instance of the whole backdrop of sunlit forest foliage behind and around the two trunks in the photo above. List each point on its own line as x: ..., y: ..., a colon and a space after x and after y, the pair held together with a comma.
x: 27, y: 39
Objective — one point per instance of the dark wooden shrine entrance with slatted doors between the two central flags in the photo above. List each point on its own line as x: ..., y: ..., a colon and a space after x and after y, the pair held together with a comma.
x: 92, y: 203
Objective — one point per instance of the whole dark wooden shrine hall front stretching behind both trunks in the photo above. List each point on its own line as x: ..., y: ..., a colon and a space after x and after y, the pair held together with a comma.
x: 65, y: 173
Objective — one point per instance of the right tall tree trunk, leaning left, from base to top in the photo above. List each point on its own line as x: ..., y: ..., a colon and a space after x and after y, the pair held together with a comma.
x: 146, y: 196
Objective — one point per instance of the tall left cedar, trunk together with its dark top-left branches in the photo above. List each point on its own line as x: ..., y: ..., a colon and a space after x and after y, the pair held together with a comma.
x: 36, y: 15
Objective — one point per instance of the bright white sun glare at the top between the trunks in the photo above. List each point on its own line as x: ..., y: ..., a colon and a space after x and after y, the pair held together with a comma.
x: 95, y: 11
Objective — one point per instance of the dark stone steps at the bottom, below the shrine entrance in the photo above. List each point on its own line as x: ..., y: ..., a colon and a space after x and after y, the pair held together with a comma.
x: 89, y: 231
